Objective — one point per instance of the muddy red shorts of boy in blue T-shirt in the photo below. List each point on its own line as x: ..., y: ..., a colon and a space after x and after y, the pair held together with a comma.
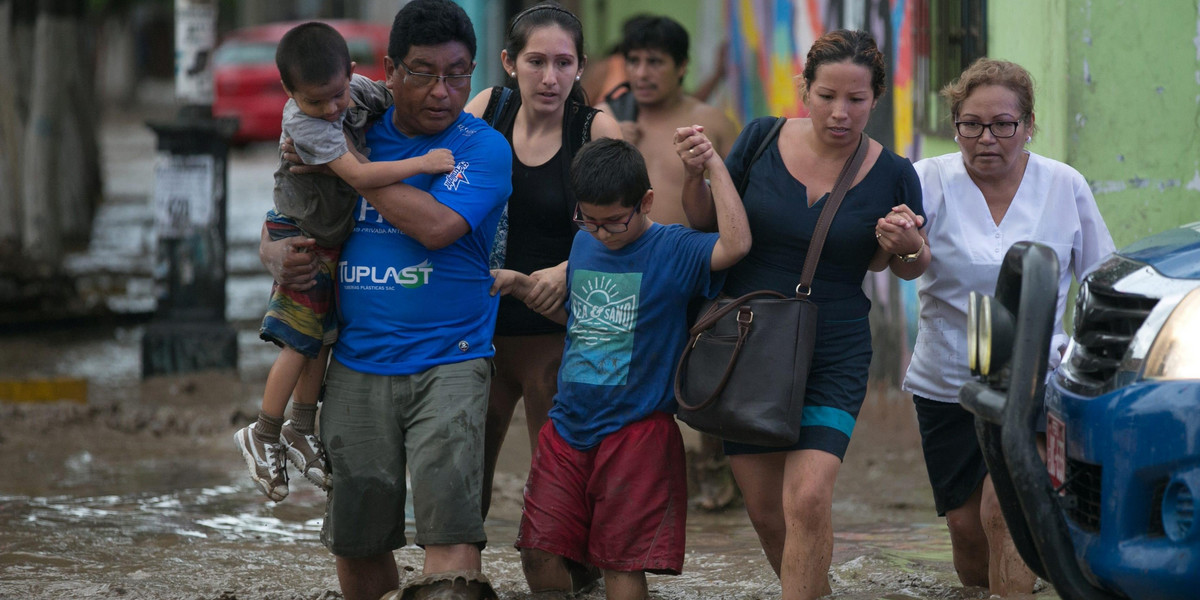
x: 621, y: 506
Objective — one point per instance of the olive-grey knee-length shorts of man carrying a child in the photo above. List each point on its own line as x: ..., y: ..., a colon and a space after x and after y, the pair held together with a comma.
x: 376, y: 428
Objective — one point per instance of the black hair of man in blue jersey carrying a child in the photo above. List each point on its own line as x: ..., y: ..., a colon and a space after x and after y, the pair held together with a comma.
x: 430, y: 23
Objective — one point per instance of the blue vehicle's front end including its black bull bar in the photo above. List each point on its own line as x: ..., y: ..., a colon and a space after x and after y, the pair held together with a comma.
x: 1115, y: 511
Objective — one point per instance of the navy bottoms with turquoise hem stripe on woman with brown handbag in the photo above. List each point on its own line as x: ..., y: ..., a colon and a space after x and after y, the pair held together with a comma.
x: 835, y: 393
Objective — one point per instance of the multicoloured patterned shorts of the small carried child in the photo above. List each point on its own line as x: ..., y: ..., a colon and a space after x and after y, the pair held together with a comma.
x: 302, y: 321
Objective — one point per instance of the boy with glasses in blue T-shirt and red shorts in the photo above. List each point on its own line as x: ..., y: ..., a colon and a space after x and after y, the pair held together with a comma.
x: 608, y: 485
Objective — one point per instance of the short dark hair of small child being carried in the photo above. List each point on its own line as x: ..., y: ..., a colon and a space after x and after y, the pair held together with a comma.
x: 313, y: 53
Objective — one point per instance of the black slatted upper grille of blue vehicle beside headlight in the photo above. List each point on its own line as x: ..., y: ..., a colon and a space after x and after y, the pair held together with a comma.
x: 1106, y: 323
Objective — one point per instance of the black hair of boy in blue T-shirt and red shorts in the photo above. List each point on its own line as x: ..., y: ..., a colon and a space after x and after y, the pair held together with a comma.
x: 609, y: 171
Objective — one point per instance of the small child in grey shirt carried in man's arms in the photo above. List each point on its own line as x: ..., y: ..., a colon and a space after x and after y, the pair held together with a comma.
x: 326, y: 117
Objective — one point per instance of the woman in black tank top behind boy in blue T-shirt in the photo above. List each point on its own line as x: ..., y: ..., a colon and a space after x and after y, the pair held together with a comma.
x: 545, y: 117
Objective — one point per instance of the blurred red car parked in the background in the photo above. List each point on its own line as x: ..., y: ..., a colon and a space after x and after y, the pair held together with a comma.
x: 247, y: 82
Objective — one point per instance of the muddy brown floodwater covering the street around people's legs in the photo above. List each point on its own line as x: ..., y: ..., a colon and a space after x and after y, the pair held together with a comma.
x: 141, y: 495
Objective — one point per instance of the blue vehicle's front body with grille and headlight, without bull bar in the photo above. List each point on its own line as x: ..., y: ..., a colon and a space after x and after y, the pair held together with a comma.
x: 1124, y: 421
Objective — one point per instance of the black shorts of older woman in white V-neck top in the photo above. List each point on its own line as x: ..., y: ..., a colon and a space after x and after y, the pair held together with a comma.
x: 953, y: 457
